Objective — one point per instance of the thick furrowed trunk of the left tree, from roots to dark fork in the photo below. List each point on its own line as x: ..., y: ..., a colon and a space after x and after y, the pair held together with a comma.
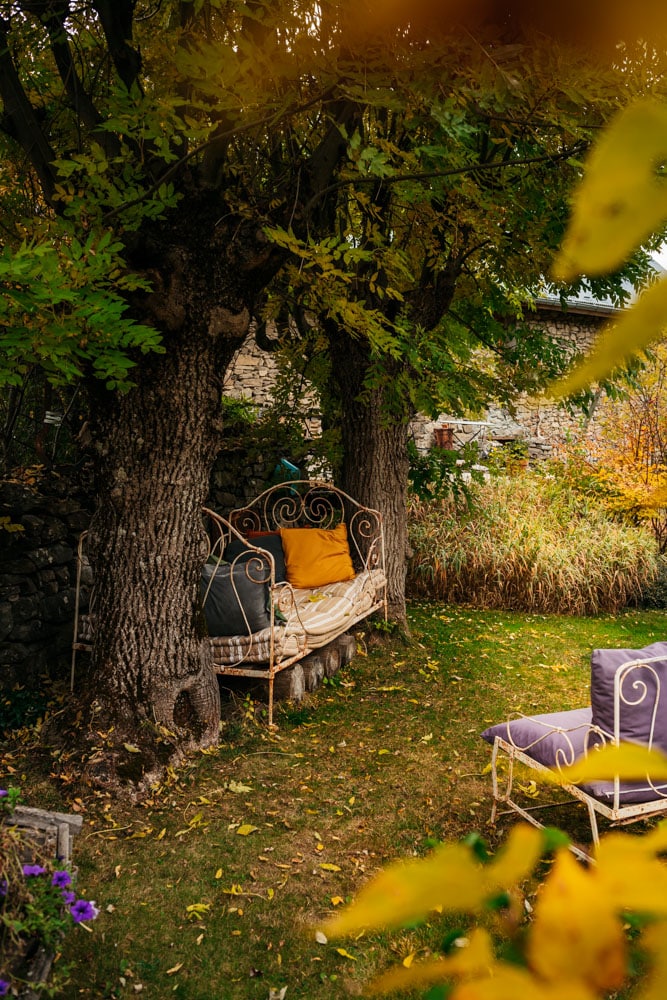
x: 151, y: 681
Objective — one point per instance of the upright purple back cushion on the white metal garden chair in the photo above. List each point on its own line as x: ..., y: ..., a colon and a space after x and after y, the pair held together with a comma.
x: 638, y: 694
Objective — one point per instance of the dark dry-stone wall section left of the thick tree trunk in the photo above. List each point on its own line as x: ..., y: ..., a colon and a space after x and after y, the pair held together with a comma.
x: 37, y: 579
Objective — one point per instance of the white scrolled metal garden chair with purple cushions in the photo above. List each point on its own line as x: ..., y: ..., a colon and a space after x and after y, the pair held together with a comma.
x: 628, y: 704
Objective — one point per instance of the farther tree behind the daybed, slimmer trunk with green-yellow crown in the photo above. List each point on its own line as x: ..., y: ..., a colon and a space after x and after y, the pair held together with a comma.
x: 451, y: 205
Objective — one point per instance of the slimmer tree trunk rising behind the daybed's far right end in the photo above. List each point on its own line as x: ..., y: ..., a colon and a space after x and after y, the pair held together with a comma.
x: 375, y: 460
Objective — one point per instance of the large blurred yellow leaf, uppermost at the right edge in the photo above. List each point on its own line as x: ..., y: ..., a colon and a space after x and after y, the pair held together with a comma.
x: 622, y: 198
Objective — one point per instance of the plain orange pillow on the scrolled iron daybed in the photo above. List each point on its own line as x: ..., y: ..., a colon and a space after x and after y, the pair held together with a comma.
x: 315, y: 557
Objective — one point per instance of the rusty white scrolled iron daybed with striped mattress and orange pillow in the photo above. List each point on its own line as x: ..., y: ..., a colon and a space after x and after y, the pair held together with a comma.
x: 287, y: 574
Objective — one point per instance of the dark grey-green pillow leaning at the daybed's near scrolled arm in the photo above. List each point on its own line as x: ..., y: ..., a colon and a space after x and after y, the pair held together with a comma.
x: 236, y: 604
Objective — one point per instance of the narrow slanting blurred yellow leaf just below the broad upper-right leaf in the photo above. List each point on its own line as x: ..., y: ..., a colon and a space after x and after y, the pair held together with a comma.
x: 645, y: 322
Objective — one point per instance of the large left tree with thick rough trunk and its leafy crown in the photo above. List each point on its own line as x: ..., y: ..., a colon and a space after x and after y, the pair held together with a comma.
x: 156, y: 143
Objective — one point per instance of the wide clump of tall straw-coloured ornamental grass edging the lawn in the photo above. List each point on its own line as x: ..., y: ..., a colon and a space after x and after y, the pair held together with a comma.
x: 529, y: 543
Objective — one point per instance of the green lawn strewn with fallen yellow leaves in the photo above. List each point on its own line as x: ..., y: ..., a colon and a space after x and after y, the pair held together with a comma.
x: 209, y: 891
